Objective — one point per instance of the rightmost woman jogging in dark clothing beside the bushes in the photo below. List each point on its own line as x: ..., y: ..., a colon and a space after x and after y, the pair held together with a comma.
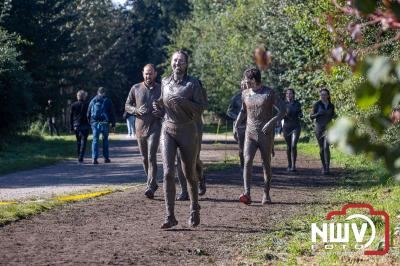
x: 323, y: 113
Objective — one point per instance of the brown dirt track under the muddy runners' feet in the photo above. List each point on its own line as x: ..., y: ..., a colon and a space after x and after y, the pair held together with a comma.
x: 123, y: 228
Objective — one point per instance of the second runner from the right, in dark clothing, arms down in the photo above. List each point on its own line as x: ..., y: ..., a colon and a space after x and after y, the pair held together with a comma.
x: 291, y: 128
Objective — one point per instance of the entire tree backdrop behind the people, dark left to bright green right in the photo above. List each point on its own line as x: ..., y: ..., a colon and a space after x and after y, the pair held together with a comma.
x: 51, y: 49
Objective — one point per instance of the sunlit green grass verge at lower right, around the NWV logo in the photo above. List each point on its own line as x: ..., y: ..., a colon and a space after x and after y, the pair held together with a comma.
x: 288, y: 243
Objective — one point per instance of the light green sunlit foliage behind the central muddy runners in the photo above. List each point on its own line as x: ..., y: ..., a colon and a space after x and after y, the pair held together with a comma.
x: 221, y: 39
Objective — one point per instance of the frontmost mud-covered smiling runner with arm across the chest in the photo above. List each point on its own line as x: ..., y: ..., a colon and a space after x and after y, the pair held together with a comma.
x: 183, y: 100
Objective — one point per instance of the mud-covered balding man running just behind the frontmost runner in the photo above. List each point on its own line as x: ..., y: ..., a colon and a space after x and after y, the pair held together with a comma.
x: 148, y: 123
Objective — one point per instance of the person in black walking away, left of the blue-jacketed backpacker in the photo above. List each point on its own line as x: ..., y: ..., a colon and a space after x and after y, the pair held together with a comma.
x: 79, y: 123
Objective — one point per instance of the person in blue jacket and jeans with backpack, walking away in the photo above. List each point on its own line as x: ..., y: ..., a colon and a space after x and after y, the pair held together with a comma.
x: 101, y: 114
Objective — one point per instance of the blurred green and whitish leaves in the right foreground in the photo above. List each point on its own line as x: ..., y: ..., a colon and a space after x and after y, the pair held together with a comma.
x: 380, y: 89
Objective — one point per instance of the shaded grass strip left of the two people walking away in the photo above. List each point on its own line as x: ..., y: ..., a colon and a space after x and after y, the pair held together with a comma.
x: 26, y: 152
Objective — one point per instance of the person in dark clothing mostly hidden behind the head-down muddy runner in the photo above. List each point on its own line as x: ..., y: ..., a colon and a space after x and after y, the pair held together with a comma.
x: 239, y: 131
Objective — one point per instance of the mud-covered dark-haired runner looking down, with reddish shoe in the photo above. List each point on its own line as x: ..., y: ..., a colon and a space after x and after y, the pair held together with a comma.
x: 257, y: 108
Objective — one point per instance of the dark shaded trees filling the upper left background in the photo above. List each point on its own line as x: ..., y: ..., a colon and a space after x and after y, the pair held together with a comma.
x: 71, y: 45
